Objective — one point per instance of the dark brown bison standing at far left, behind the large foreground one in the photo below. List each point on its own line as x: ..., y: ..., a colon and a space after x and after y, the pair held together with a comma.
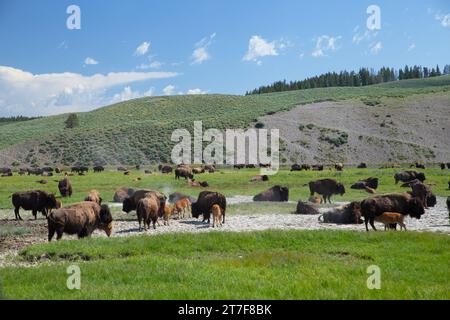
x: 34, y: 201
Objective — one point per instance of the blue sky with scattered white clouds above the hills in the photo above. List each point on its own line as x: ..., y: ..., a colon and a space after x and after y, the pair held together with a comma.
x: 129, y: 49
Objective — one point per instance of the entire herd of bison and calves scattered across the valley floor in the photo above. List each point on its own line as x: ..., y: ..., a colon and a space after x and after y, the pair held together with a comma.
x: 150, y: 205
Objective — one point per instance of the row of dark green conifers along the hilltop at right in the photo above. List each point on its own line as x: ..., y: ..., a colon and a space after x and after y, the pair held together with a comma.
x: 363, y: 77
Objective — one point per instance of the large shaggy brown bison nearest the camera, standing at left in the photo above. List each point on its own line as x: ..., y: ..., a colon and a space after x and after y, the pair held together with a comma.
x: 80, y: 219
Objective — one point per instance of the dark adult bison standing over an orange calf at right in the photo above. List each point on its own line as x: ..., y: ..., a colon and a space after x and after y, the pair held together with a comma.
x: 403, y: 203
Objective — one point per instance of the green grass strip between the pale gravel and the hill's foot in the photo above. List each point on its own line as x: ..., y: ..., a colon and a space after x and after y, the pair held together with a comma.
x: 229, y: 182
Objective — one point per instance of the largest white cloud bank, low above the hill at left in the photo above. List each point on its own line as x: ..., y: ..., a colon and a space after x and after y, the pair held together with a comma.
x: 26, y: 93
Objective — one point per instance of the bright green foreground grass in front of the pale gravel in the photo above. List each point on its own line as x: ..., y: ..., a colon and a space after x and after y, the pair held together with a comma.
x: 257, y: 265
